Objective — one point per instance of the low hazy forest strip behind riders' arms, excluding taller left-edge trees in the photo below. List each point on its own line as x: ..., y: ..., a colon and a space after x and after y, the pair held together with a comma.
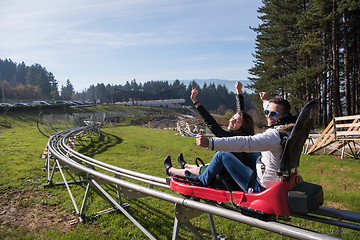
x: 215, y: 98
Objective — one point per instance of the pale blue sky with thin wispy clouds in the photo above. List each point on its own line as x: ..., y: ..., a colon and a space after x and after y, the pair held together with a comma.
x: 114, y: 41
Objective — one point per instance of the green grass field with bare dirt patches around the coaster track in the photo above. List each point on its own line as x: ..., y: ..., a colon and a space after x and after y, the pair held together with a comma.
x: 29, y: 211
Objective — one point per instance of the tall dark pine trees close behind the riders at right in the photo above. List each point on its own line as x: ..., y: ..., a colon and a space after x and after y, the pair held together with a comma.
x: 309, y: 49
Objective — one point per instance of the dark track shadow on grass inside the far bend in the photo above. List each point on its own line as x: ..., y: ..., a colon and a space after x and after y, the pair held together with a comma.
x: 100, y: 146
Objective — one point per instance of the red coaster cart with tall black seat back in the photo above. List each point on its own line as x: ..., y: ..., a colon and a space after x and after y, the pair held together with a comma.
x: 289, y: 196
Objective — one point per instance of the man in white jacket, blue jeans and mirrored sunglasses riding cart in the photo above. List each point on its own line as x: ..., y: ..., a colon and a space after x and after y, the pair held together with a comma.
x: 280, y: 122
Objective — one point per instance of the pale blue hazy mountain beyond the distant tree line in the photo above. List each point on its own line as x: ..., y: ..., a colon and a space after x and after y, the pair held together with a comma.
x: 229, y: 84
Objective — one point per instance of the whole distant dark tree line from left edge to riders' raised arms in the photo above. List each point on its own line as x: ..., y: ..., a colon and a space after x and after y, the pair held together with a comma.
x: 26, y: 83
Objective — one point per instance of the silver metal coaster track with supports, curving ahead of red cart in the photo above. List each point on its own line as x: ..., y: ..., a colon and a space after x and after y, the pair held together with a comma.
x: 71, y: 163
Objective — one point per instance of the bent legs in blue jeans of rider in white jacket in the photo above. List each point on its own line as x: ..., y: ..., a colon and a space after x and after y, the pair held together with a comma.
x: 238, y: 171
